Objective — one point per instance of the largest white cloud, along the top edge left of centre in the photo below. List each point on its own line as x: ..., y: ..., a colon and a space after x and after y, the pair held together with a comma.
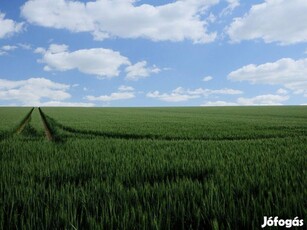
x: 175, y: 21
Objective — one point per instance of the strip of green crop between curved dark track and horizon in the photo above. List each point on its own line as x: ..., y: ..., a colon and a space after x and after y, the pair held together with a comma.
x: 184, y: 123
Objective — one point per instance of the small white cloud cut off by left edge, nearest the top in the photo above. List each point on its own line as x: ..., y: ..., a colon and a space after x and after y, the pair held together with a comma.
x: 8, y: 27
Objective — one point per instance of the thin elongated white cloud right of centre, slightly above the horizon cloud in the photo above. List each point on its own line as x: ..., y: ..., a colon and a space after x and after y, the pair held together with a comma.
x: 180, y: 94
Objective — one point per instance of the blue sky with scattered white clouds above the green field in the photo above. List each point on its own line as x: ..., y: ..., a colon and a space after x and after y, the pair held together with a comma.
x: 122, y: 53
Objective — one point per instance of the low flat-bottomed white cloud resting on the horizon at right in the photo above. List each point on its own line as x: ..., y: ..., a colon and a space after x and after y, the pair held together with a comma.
x: 268, y: 99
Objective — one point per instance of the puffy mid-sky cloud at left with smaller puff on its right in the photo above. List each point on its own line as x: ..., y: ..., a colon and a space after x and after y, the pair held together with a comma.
x: 96, y: 61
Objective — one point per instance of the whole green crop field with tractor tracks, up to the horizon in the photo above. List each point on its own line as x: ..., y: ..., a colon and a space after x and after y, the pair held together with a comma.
x: 152, y: 168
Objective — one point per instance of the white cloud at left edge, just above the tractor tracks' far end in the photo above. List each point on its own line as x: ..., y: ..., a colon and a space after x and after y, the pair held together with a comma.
x: 32, y: 91
